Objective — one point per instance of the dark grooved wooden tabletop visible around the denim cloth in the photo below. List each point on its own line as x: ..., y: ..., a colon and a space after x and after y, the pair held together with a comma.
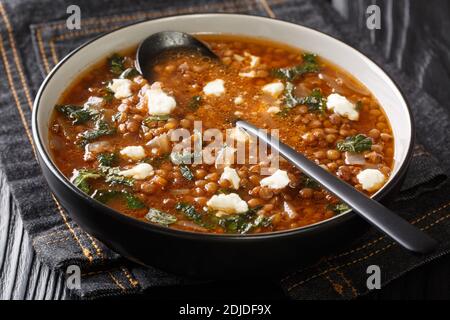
x: 413, y: 35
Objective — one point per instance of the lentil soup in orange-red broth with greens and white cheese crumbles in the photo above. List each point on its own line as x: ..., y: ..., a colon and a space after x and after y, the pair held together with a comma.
x: 112, y: 134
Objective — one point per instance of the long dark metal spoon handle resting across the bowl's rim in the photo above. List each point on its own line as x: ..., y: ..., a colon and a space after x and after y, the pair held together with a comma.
x: 381, y: 217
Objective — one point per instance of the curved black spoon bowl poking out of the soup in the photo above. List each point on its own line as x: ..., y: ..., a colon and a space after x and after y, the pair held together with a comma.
x: 152, y: 49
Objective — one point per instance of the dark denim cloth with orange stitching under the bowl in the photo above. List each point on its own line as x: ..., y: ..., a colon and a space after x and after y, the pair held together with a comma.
x: 34, y: 38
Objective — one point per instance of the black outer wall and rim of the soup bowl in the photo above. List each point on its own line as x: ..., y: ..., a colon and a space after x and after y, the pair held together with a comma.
x: 195, y: 254
